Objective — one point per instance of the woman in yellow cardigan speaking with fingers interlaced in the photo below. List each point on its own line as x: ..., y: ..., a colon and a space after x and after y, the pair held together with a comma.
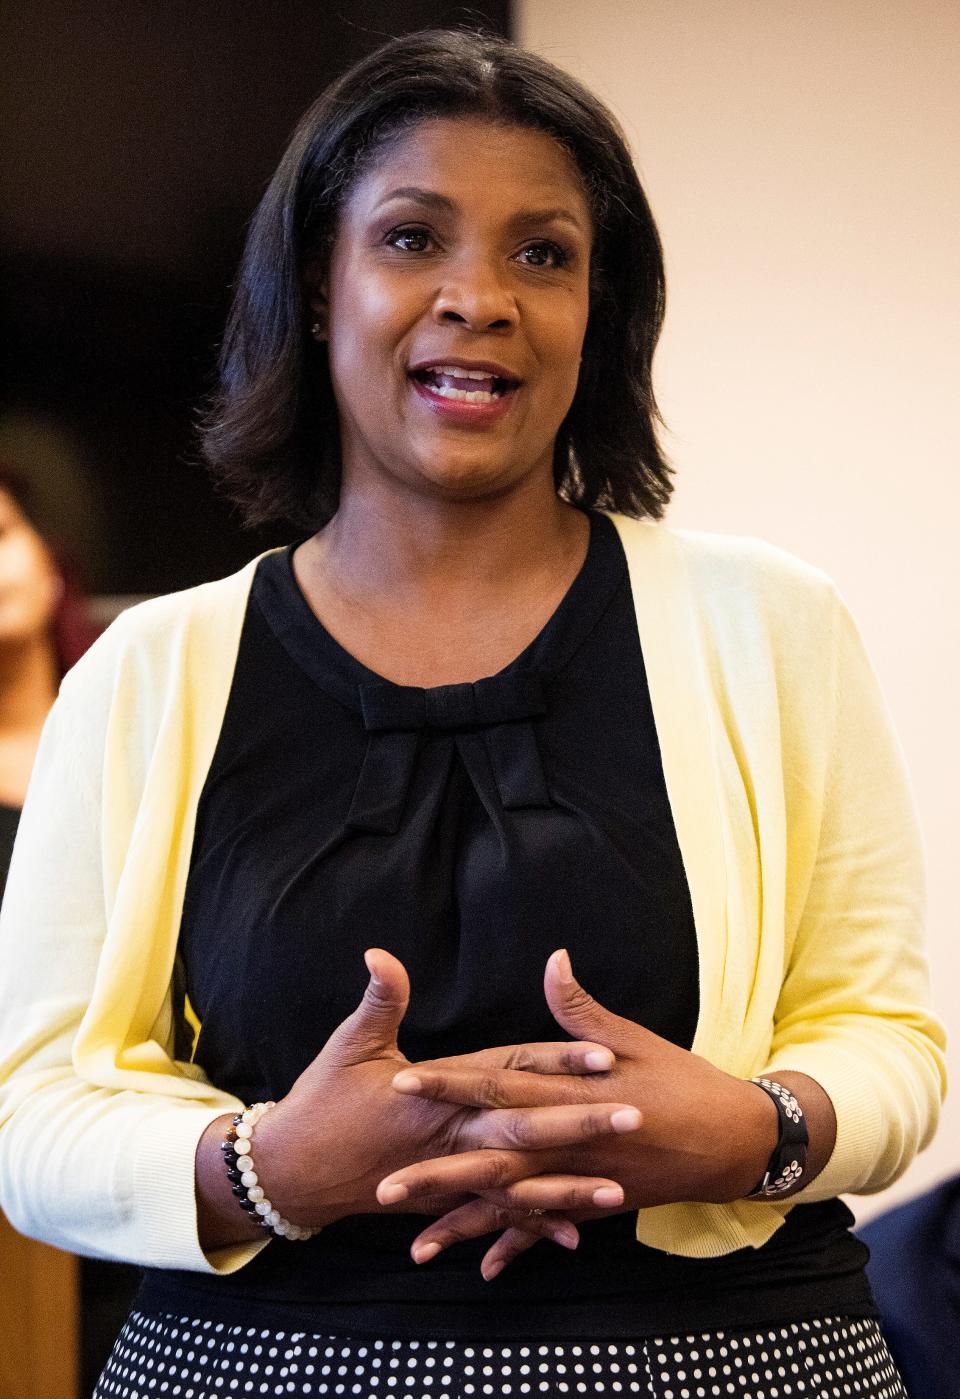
x: 493, y: 717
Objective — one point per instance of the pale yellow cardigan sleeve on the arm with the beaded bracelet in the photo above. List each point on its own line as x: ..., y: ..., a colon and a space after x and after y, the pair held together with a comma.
x: 87, y: 1165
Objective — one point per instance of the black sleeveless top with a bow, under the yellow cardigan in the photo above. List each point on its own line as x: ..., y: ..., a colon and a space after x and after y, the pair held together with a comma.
x: 471, y: 830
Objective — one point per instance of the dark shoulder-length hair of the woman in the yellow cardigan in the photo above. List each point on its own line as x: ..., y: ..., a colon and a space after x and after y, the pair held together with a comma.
x: 271, y: 430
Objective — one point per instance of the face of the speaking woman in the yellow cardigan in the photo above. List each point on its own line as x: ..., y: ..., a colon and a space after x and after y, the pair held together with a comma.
x: 456, y: 307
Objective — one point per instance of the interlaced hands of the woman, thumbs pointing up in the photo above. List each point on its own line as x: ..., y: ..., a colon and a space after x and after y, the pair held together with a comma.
x: 521, y: 1139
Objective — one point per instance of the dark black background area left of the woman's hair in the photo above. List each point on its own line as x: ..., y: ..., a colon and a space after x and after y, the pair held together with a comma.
x: 136, y: 142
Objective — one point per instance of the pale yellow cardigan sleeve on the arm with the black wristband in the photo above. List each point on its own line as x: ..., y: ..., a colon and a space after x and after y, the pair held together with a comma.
x: 854, y: 1005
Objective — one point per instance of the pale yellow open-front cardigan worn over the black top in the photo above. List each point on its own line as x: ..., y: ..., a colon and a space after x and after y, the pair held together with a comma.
x: 794, y: 819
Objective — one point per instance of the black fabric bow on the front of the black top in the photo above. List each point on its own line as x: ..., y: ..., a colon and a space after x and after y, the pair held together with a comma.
x: 395, y: 717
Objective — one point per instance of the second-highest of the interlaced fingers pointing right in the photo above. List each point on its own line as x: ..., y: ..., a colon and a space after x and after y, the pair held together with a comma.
x: 538, y: 1130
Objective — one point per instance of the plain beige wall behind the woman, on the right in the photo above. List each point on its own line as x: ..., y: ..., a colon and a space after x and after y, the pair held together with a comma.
x: 803, y: 163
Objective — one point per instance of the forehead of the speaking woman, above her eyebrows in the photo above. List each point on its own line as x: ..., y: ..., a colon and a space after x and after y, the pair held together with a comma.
x: 474, y: 163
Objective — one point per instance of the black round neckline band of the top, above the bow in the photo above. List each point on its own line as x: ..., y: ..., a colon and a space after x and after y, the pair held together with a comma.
x: 337, y: 671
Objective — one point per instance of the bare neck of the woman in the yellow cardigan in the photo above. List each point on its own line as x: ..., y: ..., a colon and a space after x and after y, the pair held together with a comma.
x: 421, y: 548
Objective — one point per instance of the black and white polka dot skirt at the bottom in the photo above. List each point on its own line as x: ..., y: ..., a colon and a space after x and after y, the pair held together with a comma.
x: 181, y: 1359
